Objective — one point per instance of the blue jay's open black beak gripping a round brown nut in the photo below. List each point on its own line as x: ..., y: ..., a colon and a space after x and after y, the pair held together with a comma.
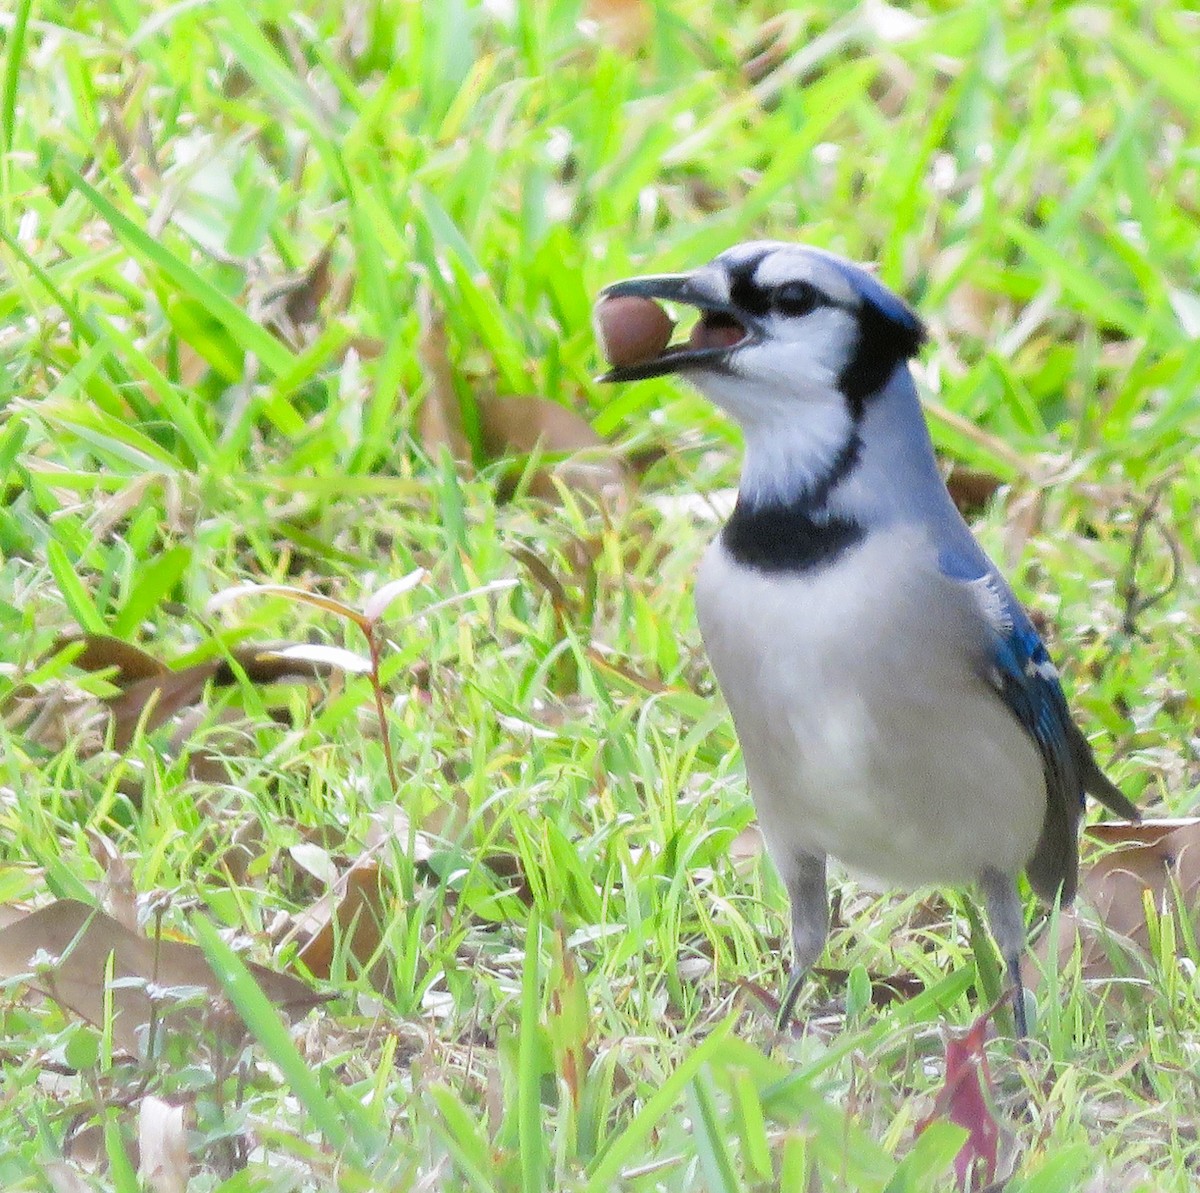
x: 719, y: 331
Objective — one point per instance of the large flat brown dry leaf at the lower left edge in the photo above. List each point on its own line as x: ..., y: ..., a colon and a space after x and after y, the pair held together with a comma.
x: 63, y: 951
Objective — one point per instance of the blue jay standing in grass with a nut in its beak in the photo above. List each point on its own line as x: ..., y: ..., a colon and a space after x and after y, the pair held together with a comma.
x: 896, y: 708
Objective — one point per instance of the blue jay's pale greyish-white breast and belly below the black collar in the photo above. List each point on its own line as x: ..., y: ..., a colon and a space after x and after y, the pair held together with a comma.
x: 868, y: 728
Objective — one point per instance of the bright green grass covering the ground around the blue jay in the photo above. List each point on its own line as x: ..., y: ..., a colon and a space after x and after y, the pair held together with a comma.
x: 563, y: 976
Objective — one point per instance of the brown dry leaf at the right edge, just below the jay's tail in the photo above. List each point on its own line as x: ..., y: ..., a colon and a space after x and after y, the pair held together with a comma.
x: 1160, y: 858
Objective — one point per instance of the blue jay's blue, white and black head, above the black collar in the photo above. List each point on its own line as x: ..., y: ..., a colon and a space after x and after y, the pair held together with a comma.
x: 808, y: 353
